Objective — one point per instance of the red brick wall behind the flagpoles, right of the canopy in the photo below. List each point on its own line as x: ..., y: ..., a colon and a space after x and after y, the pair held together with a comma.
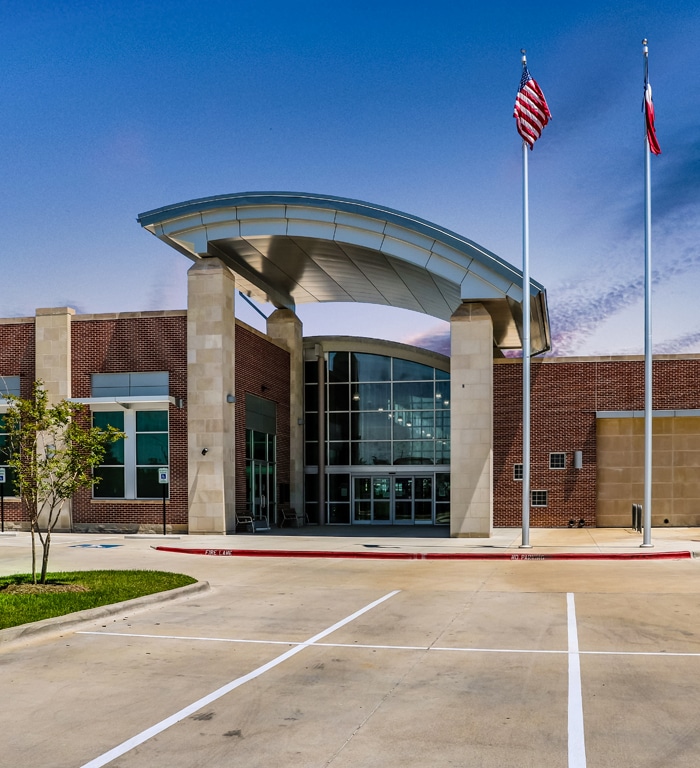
x: 565, y: 395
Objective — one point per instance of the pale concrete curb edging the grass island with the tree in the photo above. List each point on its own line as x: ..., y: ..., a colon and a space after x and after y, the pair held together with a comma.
x: 41, y: 629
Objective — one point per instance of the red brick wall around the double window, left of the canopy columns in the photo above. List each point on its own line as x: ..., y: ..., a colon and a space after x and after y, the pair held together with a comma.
x: 146, y: 342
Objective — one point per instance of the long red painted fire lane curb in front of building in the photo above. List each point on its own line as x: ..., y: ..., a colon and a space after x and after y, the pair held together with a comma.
x: 432, y: 555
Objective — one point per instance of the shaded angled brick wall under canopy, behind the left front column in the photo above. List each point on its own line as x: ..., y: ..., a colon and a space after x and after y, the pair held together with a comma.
x: 262, y: 369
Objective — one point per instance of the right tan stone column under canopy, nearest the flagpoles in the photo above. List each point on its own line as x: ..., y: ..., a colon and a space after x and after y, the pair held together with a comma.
x: 471, y: 434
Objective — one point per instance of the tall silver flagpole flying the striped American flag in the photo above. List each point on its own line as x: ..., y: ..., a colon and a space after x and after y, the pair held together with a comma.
x: 526, y: 345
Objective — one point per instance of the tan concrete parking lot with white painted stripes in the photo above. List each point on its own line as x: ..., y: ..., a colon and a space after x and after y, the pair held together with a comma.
x: 333, y: 662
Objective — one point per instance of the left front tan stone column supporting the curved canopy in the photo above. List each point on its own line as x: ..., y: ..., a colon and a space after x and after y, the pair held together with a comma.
x: 211, y: 330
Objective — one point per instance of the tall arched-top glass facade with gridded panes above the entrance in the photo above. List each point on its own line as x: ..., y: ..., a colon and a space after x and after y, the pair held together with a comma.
x: 385, y: 441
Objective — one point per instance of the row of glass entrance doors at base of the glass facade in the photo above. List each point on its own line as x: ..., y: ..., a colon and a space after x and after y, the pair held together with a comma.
x: 394, y: 500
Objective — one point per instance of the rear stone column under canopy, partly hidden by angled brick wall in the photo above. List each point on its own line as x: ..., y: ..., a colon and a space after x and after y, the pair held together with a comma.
x: 284, y: 326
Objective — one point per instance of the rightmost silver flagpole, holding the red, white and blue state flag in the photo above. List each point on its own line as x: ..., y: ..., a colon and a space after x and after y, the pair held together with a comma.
x: 648, y: 354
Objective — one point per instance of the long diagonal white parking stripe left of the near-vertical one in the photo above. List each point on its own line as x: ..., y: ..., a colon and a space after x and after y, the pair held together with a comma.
x: 154, y: 730
